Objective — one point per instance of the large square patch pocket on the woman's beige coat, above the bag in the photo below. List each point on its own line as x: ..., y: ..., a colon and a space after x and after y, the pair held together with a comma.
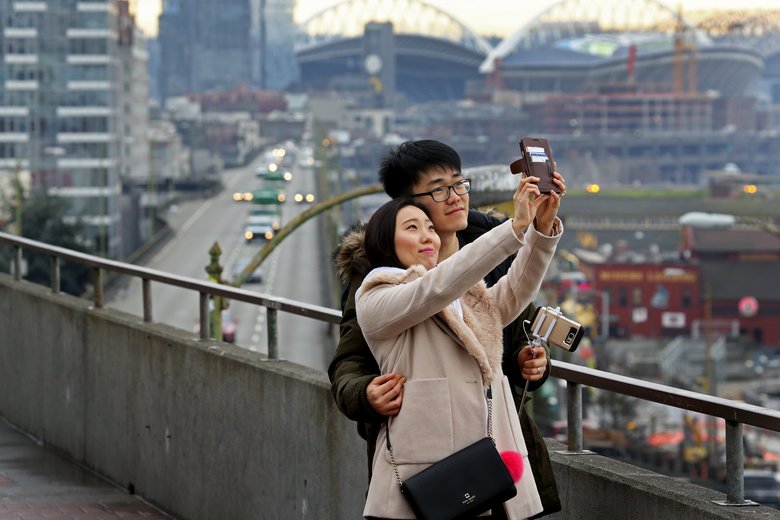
x: 422, y: 432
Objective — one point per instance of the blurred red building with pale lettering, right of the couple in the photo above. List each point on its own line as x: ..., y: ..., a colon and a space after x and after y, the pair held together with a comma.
x: 729, y: 283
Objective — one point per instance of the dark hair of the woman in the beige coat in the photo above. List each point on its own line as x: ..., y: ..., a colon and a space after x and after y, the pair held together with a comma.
x: 380, y: 233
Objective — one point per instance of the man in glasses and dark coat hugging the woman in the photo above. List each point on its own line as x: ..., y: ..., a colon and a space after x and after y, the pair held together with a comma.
x: 430, y: 172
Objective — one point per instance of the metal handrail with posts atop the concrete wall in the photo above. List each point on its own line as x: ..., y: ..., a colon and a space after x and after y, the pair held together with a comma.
x: 734, y: 413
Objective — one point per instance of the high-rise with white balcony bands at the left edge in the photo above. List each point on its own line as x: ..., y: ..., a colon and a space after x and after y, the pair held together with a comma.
x: 61, y: 115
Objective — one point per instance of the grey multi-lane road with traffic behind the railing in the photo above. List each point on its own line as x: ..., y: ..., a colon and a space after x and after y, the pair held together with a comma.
x: 294, y: 270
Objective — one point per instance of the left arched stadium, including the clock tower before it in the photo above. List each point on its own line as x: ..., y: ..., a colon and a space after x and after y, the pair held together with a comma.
x: 389, y: 53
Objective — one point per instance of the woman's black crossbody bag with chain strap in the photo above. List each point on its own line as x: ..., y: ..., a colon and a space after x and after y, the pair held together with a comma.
x: 467, y: 483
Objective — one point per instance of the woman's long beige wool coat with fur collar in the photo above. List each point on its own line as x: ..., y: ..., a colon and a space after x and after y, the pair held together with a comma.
x: 449, y: 357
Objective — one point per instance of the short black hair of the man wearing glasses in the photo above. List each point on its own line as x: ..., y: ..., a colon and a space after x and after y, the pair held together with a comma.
x: 403, y: 166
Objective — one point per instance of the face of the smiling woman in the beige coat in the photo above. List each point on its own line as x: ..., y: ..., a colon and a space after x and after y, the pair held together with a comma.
x: 415, y: 240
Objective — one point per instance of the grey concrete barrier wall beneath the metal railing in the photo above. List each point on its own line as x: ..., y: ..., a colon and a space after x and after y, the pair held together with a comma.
x: 207, y: 430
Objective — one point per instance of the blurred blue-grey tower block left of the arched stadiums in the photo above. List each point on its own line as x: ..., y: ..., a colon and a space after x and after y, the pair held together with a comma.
x: 207, y: 45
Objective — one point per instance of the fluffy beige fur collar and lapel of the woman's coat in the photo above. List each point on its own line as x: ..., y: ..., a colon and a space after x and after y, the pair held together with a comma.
x: 479, y: 332
